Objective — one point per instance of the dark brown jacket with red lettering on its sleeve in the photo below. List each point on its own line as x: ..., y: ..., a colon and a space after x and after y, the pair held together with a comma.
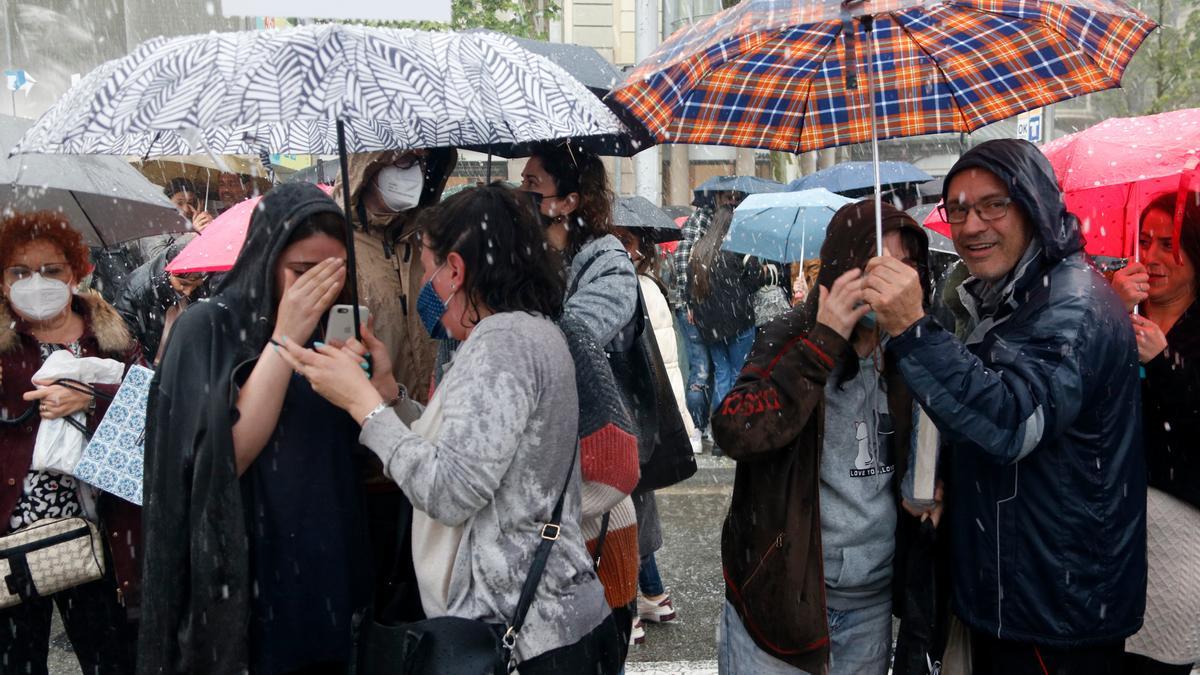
x: 772, y: 423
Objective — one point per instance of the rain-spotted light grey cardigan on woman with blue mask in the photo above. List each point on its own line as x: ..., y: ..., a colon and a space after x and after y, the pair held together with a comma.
x: 508, y: 433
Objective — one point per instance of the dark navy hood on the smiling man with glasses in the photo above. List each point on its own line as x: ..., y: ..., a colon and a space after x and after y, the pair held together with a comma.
x: 1033, y: 186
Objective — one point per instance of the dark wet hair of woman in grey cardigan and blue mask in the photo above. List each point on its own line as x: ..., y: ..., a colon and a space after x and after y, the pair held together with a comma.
x: 501, y: 241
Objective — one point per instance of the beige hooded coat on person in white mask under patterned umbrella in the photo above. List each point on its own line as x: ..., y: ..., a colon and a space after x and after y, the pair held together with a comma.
x: 389, y: 286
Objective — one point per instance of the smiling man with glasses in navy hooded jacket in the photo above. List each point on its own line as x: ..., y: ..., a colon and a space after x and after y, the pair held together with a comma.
x: 1039, y: 411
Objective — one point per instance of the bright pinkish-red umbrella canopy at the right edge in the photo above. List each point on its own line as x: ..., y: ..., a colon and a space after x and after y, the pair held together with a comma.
x: 1111, y: 172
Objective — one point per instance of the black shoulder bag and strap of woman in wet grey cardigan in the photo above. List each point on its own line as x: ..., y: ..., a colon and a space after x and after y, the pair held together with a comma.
x: 452, y: 646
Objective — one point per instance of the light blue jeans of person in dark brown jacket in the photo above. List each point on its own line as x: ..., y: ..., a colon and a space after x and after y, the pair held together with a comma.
x: 860, y: 643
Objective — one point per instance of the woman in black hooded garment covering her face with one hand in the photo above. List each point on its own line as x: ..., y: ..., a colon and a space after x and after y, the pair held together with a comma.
x: 256, y: 547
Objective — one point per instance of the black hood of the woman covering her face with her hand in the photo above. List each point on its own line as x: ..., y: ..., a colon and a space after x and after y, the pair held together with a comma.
x: 249, y: 289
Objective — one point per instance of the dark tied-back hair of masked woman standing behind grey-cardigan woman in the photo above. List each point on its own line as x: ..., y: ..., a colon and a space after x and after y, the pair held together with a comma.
x: 575, y: 170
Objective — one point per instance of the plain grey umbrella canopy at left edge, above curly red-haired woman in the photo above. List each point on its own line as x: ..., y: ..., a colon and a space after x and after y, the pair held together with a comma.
x: 105, y: 199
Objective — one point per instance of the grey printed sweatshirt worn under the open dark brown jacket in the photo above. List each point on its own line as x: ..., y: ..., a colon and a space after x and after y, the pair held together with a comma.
x: 859, y: 512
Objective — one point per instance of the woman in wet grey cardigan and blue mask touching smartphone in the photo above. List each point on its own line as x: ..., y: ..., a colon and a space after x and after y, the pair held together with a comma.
x: 488, y: 459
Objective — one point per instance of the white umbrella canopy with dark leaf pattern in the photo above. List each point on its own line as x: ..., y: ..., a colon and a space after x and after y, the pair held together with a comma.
x: 285, y: 92
